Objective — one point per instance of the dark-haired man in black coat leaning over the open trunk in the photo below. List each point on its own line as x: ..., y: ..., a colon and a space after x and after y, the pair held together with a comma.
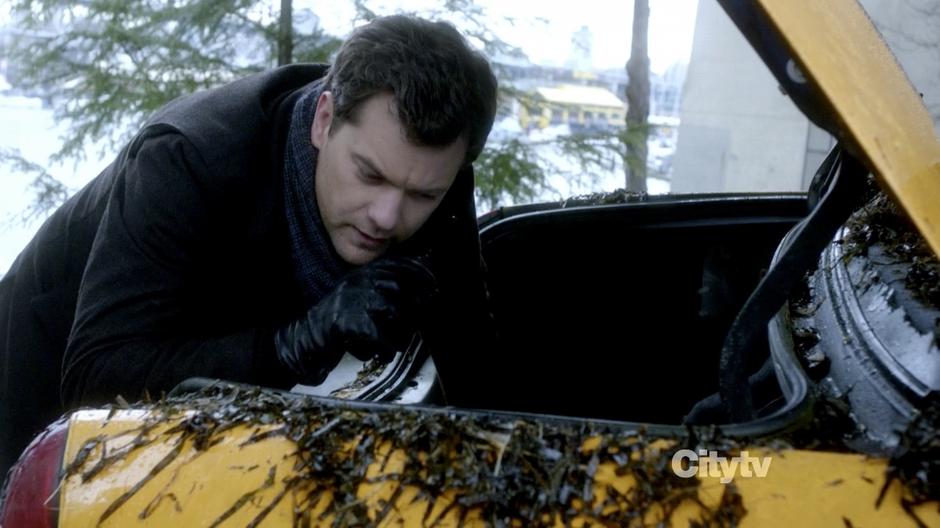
x: 257, y: 231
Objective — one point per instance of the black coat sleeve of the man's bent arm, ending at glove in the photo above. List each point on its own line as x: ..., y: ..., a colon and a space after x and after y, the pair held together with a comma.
x: 128, y: 336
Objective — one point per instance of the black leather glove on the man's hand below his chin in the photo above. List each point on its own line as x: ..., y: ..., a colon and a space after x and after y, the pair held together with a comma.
x: 374, y: 311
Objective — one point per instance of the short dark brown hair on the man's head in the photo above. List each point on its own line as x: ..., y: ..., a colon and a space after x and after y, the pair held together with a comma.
x: 442, y: 88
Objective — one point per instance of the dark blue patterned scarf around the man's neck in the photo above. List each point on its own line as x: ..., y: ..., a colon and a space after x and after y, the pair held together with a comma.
x: 317, y: 266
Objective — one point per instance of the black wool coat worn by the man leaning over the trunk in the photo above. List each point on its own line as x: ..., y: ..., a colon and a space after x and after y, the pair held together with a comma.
x: 175, y: 262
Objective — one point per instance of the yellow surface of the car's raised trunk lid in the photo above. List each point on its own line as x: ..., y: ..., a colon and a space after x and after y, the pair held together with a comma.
x: 840, y: 50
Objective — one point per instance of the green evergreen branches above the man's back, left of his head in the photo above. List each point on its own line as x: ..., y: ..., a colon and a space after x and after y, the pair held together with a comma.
x: 104, y: 66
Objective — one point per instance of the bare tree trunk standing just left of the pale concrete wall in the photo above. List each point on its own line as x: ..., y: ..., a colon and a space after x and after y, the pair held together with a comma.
x: 638, y: 99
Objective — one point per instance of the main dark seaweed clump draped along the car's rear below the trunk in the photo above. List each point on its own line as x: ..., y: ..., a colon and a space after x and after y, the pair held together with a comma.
x: 507, y: 471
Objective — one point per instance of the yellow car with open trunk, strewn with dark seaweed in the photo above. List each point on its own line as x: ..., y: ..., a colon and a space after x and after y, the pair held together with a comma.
x: 777, y: 365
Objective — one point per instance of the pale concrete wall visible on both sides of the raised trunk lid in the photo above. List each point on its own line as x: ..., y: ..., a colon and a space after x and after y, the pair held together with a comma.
x: 740, y: 133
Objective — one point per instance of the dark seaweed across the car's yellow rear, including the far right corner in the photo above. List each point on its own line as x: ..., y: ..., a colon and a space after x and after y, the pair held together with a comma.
x: 506, y: 471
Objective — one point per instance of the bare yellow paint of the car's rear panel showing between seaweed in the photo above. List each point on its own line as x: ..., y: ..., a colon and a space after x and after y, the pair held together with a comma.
x: 235, y: 480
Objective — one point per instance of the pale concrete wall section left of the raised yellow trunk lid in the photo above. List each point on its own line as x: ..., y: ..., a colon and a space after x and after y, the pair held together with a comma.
x: 738, y: 131
